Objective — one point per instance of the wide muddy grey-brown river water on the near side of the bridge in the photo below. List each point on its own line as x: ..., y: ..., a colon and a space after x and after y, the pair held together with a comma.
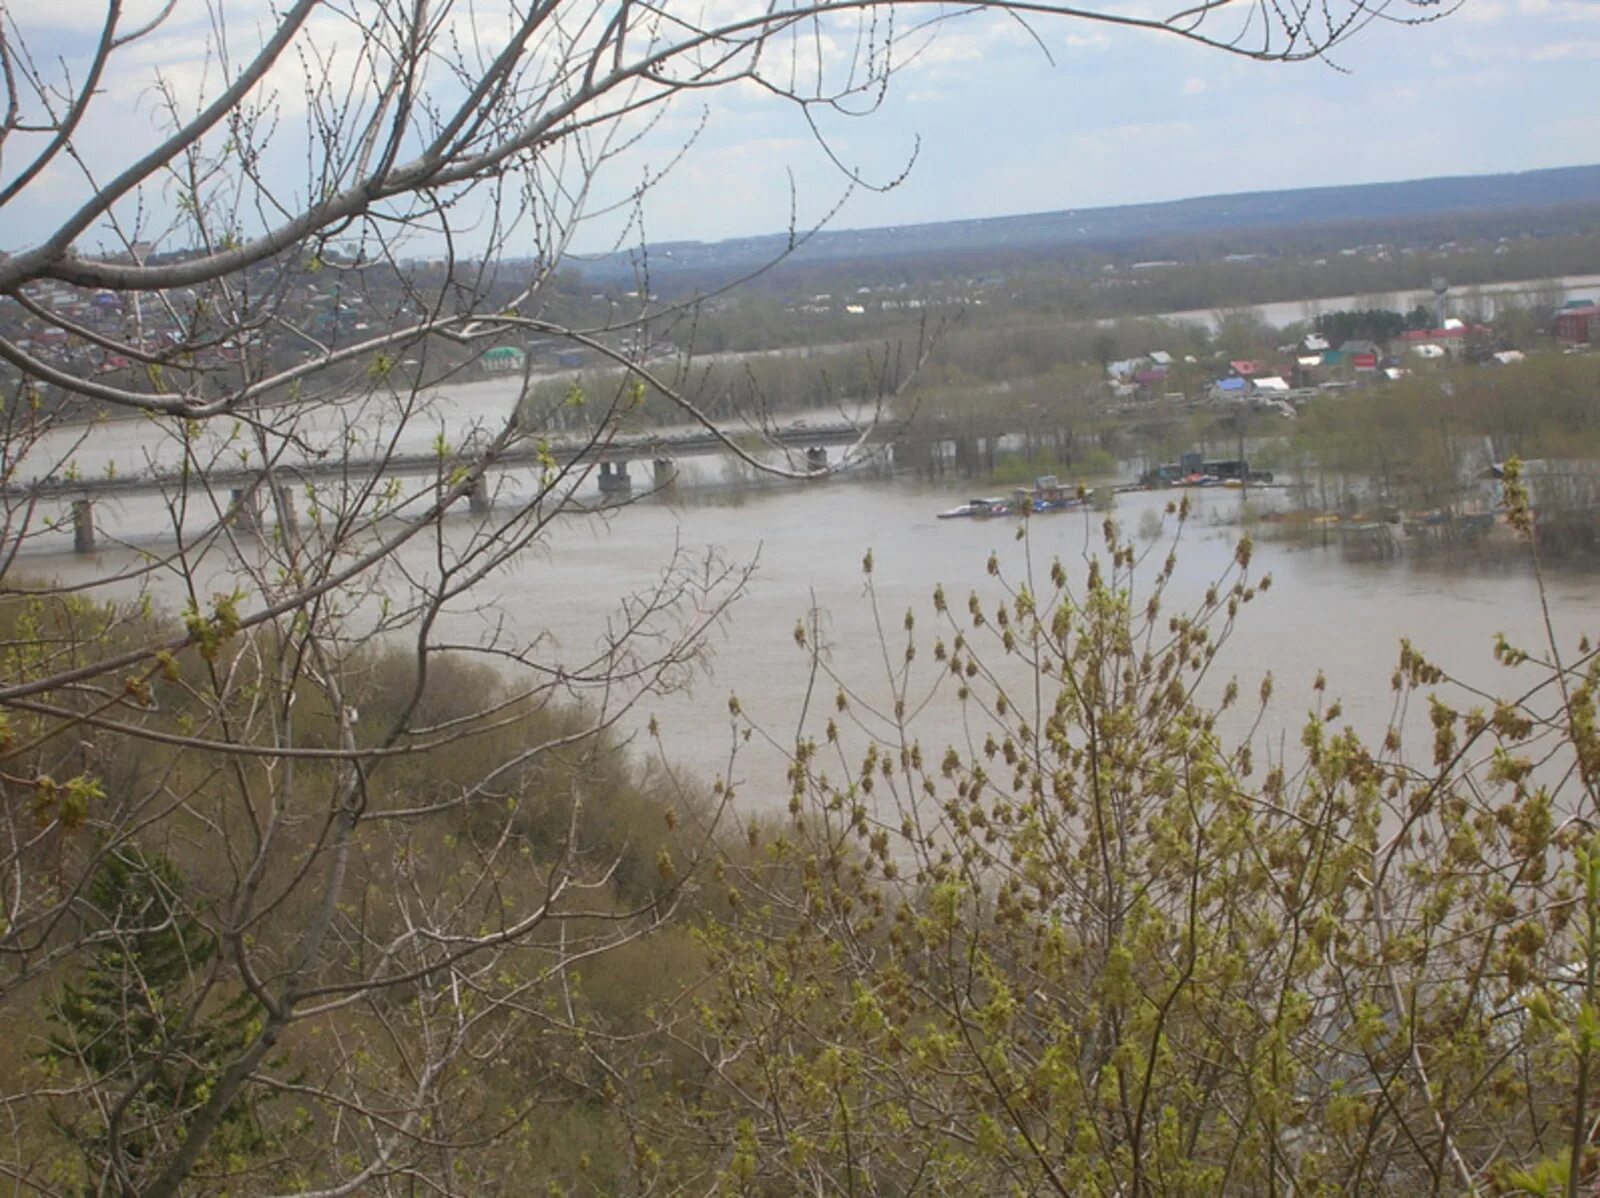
x: 809, y: 543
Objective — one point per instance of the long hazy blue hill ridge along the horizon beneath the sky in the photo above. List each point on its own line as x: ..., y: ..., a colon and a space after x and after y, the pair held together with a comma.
x: 1127, y: 226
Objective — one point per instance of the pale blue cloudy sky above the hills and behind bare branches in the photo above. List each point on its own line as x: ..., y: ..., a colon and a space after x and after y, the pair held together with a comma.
x: 991, y: 119
